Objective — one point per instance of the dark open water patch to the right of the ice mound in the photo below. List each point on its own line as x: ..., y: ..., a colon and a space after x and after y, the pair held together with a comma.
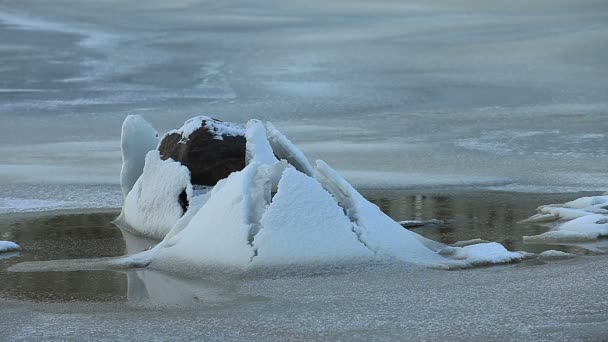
x: 491, y: 216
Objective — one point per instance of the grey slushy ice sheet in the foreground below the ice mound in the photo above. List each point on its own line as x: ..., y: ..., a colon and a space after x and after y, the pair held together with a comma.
x: 561, y: 300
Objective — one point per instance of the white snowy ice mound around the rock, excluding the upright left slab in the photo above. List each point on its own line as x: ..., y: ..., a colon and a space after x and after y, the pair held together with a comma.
x: 280, y: 210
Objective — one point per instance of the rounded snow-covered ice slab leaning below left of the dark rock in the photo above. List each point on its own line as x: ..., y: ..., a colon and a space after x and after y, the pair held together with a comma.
x: 151, y: 207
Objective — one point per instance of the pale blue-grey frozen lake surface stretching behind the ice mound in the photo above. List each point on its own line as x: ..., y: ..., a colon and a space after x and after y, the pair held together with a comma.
x: 471, y: 92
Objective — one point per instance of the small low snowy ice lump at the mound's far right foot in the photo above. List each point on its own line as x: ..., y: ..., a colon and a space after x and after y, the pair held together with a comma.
x: 483, y: 254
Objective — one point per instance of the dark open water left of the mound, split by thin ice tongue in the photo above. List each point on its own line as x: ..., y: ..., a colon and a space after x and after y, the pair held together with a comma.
x: 63, y: 237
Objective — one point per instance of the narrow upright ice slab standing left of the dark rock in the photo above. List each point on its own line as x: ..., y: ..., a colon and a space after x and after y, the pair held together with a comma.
x: 137, y: 138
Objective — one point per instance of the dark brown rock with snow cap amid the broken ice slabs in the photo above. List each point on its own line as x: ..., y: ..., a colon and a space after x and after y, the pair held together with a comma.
x: 209, y: 148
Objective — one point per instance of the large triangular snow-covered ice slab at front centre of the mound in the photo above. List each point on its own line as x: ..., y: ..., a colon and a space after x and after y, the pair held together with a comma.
x: 304, y: 224
